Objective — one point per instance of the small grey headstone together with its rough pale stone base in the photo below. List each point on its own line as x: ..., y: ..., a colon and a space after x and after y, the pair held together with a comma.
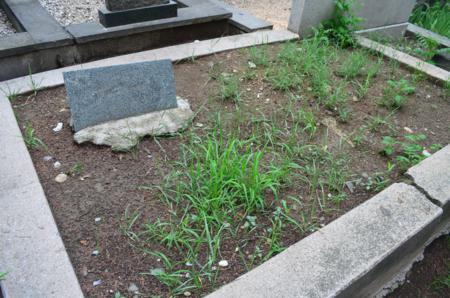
x: 119, y: 105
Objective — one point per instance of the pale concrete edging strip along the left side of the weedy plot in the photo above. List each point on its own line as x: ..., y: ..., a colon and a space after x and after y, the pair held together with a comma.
x: 31, y: 249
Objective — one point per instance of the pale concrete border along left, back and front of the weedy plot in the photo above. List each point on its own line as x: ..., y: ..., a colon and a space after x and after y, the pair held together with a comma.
x: 404, y: 219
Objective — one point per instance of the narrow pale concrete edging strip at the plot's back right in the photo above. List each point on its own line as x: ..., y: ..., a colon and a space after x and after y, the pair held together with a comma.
x: 413, y: 62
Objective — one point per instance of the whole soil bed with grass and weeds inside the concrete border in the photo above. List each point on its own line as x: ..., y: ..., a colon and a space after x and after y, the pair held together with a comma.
x: 286, y: 138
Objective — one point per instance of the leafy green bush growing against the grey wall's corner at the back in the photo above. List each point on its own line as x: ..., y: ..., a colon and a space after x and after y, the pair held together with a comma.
x: 339, y: 28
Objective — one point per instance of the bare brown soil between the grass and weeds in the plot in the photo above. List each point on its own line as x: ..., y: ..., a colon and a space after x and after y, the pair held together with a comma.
x: 109, y: 185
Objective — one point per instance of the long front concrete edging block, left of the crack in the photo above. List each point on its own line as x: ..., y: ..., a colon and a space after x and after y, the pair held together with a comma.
x: 354, y: 256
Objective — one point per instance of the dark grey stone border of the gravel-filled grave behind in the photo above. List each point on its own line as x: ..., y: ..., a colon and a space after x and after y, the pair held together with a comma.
x: 43, y: 44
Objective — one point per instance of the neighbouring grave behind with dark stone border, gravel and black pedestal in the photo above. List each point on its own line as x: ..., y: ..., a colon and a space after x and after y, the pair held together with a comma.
x: 56, y: 33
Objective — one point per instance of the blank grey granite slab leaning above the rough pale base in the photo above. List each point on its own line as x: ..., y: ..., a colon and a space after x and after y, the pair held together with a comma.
x: 110, y: 93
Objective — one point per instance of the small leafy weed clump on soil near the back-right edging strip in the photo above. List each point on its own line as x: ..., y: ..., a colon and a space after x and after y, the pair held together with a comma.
x: 395, y: 93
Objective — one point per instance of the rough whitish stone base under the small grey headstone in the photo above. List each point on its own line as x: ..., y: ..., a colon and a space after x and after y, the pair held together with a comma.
x: 124, y: 134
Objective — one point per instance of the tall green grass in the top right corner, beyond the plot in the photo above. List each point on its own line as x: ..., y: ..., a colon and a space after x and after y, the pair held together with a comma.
x: 435, y: 17
